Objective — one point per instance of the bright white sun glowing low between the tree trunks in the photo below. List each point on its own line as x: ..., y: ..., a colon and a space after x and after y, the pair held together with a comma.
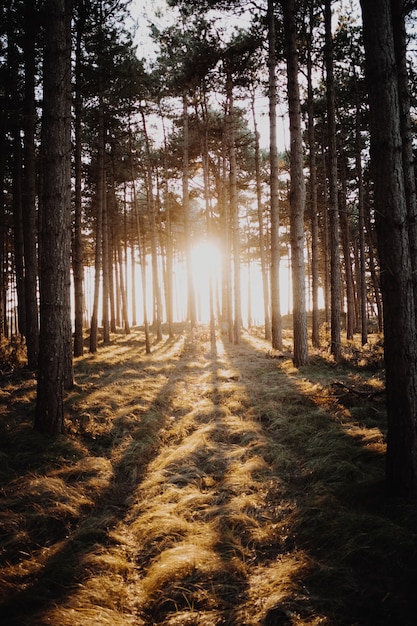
x: 206, y: 270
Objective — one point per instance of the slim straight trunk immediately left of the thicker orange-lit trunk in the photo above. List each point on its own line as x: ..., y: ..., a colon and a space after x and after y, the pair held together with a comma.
x: 276, y: 321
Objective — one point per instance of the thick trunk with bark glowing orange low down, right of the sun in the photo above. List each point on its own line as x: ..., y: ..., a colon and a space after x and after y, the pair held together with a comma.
x: 297, y: 189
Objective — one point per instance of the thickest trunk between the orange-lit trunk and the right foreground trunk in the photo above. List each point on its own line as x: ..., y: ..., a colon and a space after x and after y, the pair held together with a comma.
x: 335, y: 286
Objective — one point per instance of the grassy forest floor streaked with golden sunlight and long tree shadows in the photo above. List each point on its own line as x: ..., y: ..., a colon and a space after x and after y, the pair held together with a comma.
x: 205, y: 484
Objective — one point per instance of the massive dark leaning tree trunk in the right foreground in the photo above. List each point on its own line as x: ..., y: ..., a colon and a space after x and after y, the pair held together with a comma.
x: 393, y: 235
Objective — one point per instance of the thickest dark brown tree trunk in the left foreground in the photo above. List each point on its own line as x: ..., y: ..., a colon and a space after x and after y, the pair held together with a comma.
x: 55, y: 231
